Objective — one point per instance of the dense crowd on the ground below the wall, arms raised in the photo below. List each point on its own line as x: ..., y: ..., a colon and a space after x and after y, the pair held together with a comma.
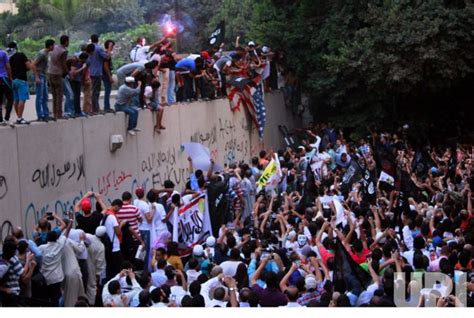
x: 348, y: 224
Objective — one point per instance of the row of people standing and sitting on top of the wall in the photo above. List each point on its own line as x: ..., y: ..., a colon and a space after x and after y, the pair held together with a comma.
x: 155, y: 77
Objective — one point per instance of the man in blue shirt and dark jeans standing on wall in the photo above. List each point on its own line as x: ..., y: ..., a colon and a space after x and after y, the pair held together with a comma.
x: 96, y: 69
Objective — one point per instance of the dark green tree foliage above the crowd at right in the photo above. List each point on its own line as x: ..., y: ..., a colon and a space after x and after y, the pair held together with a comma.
x: 374, y: 61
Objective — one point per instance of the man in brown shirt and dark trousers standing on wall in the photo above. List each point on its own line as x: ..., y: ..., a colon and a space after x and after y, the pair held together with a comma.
x: 57, y: 69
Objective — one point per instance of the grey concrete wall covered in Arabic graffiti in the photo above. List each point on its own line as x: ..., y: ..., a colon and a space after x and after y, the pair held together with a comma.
x: 49, y: 166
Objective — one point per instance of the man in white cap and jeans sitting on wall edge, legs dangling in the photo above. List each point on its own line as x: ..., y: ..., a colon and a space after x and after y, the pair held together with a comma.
x: 128, y: 102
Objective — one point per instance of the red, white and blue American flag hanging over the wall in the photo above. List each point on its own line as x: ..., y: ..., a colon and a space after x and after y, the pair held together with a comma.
x: 251, y: 97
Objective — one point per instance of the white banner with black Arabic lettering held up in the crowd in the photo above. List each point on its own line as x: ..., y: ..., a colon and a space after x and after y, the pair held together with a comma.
x: 191, y: 224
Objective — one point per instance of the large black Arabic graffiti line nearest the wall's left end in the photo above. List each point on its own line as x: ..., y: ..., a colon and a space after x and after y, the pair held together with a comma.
x: 52, y: 175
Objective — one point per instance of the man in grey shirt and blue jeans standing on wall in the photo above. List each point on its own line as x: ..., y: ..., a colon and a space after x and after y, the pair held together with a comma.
x: 41, y: 66
